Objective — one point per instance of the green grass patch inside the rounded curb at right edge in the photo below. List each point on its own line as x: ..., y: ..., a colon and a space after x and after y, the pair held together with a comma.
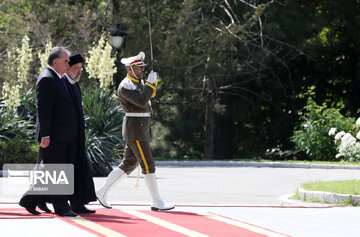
x: 344, y: 186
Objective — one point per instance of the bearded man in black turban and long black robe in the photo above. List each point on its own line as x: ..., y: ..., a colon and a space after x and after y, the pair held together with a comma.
x: 84, y: 191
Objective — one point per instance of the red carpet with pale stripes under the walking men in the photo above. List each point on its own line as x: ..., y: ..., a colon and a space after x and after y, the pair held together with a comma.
x: 112, y: 222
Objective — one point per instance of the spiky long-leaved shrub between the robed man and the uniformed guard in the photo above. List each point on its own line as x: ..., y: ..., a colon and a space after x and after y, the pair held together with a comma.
x: 103, y: 120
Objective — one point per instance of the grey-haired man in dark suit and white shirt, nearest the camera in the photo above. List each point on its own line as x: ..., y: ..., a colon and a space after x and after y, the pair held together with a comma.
x: 56, y: 126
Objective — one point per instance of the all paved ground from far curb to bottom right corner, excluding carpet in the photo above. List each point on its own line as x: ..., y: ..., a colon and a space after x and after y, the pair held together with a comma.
x: 240, y: 186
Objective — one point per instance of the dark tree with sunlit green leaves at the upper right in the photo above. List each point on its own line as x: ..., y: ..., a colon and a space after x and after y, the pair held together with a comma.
x: 324, y: 31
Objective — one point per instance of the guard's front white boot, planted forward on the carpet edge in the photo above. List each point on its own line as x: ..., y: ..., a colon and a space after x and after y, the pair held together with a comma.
x: 157, y: 203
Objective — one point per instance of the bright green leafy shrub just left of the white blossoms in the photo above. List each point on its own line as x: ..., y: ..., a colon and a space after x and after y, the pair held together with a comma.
x: 312, y: 135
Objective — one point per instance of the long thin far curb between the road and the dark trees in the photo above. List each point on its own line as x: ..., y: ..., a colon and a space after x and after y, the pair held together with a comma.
x: 253, y: 164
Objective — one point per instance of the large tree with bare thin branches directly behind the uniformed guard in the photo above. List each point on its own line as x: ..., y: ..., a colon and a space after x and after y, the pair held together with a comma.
x: 215, y: 58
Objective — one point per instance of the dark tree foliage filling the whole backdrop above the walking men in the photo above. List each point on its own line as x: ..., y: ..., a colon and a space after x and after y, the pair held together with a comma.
x: 231, y: 70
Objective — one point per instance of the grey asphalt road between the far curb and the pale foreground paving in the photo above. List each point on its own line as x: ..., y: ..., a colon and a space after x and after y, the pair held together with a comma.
x: 225, y: 185
